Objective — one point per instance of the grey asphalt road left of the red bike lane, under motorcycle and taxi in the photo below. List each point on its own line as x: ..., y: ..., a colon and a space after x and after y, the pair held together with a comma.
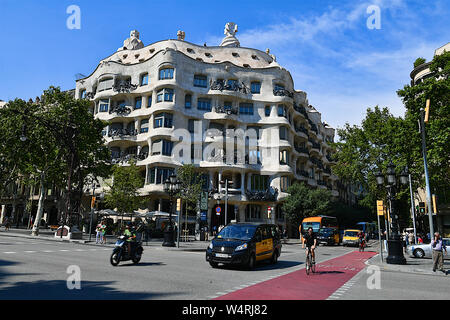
x: 36, y: 269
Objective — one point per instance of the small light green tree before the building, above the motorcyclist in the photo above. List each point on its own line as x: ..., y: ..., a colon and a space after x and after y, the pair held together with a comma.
x: 123, y: 195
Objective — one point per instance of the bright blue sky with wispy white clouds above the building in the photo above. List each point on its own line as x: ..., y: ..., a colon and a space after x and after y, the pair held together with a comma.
x: 333, y: 56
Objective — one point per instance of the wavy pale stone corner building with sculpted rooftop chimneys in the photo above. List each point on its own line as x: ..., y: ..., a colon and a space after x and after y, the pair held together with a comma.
x: 174, y: 102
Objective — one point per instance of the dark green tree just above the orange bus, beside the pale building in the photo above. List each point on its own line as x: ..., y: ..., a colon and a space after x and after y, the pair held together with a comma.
x: 303, y: 201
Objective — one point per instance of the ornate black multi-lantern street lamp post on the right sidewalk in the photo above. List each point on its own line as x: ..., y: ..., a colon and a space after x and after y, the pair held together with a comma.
x: 395, y: 247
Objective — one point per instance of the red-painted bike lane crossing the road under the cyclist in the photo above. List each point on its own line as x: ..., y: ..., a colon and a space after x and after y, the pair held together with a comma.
x: 330, y: 275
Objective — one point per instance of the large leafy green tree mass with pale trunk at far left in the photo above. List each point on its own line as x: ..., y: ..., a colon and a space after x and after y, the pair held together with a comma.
x: 63, y: 144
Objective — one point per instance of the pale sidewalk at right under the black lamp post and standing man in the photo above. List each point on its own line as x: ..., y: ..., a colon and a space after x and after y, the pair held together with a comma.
x: 413, y: 265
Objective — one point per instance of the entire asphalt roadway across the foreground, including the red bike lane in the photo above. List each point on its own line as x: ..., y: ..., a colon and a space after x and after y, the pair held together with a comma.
x: 38, y: 269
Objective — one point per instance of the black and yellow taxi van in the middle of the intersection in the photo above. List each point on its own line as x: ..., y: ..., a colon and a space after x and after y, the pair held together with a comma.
x: 245, y: 244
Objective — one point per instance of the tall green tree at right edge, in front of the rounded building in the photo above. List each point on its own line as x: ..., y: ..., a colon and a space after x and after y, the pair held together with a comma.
x: 437, y: 89
